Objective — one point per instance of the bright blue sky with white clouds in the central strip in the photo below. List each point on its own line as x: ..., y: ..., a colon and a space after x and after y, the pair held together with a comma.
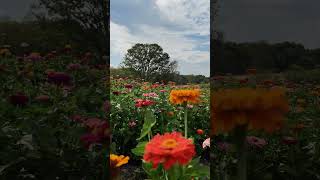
x: 180, y: 27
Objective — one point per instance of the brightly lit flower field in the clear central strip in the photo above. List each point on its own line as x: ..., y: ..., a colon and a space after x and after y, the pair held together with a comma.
x: 161, y: 128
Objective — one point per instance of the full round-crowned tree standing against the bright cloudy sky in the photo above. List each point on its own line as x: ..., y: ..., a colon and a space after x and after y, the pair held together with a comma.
x: 149, y: 61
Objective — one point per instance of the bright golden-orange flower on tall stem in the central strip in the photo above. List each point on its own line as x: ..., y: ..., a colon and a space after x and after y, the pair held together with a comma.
x: 180, y: 96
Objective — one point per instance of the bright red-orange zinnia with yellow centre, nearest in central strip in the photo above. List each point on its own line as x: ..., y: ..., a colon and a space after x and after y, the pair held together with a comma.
x: 169, y: 149
